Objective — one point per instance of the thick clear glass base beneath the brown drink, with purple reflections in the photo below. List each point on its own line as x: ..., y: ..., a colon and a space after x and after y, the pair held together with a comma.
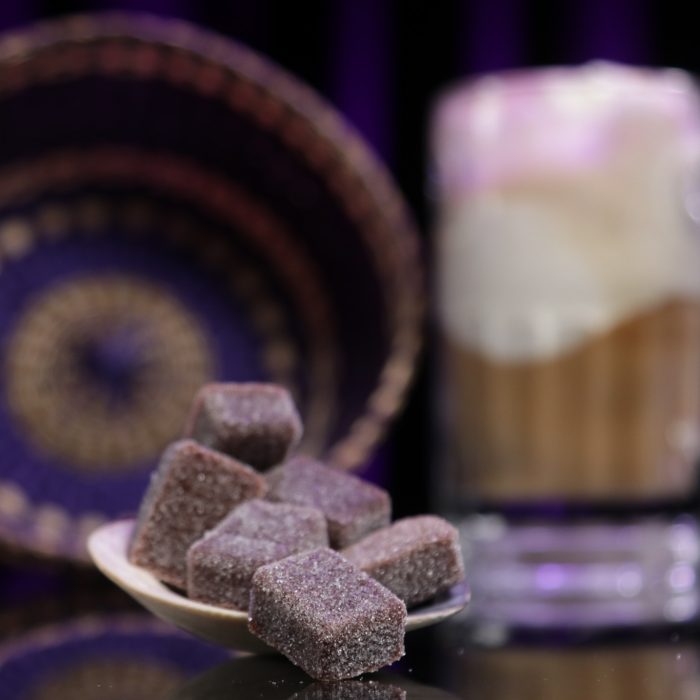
x: 582, y: 574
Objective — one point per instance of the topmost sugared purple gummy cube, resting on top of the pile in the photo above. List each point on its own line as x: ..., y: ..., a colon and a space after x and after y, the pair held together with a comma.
x: 255, y: 423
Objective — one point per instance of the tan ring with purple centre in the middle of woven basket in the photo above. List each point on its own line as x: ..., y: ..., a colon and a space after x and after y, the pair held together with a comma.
x: 120, y: 356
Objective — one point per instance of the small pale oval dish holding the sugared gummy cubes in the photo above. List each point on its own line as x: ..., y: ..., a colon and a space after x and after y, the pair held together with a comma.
x: 229, y: 628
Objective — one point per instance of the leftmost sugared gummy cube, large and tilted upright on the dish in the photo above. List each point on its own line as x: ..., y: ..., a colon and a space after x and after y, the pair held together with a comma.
x: 192, y: 489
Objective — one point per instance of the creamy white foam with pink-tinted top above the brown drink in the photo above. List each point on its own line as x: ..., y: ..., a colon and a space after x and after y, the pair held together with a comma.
x: 564, y: 199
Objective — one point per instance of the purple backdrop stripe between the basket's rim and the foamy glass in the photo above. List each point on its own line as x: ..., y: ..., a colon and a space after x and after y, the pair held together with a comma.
x: 361, y: 55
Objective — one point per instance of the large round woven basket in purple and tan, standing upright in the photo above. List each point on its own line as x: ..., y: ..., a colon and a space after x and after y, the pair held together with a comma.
x: 175, y: 210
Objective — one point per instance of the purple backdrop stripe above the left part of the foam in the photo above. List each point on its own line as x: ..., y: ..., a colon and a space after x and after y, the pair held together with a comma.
x: 492, y: 36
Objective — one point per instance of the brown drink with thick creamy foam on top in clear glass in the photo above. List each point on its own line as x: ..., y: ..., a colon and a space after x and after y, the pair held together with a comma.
x: 568, y: 262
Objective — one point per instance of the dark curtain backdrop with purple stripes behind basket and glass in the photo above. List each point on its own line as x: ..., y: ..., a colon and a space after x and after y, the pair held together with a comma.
x: 381, y: 63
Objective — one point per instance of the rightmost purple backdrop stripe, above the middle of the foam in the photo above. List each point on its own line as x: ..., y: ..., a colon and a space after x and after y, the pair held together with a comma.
x: 616, y: 30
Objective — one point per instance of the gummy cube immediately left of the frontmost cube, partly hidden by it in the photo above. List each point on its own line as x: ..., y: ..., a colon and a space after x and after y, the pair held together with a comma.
x: 220, y: 568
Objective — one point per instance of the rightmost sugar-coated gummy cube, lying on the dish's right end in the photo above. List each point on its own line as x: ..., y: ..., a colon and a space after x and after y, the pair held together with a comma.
x: 415, y: 558
